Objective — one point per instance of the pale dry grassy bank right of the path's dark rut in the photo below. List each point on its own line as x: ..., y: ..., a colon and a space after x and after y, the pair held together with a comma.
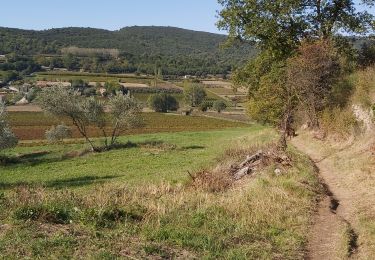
x: 351, y: 165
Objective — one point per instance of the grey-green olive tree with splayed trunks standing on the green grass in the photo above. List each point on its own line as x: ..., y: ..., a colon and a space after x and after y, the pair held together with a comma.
x: 123, y: 113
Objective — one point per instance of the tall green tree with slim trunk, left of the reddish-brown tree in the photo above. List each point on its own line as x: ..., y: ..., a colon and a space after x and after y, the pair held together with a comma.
x: 278, y: 28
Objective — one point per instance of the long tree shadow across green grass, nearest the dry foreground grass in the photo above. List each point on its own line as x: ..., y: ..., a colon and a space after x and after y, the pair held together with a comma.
x: 60, y: 184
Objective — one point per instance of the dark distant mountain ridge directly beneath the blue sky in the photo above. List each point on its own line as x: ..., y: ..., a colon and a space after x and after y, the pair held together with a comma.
x: 177, y: 51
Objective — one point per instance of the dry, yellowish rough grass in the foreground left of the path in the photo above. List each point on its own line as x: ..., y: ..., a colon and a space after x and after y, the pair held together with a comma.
x: 266, y: 216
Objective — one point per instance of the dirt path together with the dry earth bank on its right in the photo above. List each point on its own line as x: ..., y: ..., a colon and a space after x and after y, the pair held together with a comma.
x: 343, y: 227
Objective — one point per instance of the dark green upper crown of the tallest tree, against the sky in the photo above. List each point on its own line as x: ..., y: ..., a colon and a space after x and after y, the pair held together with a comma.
x: 278, y: 26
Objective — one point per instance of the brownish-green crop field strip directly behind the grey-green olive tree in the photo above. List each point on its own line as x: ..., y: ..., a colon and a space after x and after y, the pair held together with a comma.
x: 32, y: 125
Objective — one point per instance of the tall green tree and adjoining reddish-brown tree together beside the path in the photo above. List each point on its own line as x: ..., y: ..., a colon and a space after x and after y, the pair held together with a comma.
x: 304, y: 56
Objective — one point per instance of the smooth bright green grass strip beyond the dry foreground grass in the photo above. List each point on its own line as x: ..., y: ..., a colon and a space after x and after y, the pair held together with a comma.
x: 171, y: 158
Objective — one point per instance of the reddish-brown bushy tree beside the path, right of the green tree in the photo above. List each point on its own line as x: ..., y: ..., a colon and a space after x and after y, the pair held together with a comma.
x: 312, y: 74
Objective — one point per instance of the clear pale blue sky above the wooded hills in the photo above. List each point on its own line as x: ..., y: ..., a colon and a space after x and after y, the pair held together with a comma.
x: 110, y: 14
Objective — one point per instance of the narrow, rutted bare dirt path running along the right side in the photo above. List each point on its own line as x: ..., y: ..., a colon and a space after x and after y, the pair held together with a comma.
x: 332, y: 235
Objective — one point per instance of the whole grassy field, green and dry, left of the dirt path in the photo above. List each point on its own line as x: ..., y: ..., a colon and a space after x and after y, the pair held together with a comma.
x: 139, y: 202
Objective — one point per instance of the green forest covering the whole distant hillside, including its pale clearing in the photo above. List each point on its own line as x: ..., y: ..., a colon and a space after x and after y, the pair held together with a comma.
x: 175, y: 51
